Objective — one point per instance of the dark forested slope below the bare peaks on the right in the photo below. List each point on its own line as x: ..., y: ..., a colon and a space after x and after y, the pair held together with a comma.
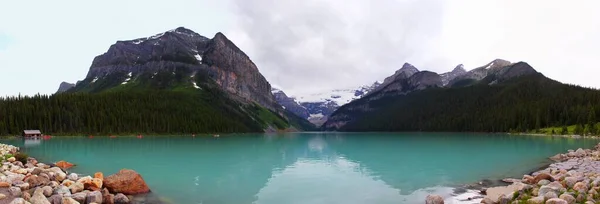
x: 519, y: 104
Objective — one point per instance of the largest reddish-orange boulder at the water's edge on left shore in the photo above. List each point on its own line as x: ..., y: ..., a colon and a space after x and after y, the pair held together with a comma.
x: 126, y: 181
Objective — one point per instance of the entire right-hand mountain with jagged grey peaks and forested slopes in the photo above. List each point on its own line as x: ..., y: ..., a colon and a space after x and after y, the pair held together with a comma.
x: 498, y: 97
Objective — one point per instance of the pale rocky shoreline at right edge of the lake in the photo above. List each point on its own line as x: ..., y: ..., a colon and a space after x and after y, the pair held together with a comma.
x: 574, y: 177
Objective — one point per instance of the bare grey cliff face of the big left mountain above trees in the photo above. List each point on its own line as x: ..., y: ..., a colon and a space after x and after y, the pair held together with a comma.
x: 181, y: 52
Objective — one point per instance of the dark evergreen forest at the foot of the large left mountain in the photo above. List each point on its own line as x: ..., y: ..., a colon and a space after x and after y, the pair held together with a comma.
x: 120, y: 112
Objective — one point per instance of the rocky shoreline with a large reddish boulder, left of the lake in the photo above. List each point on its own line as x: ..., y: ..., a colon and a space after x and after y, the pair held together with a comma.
x: 24, y: 180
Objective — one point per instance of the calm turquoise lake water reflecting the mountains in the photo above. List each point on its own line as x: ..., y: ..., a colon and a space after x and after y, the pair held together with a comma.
x: 307, y: 168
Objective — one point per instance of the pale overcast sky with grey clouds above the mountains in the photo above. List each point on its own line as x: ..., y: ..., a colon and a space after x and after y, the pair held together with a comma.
x: 311, y: 45
